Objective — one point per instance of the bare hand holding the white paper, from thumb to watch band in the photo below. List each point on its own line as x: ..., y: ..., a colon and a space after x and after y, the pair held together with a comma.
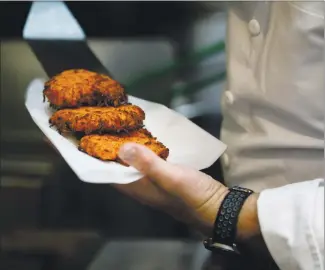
x: 187, y: 194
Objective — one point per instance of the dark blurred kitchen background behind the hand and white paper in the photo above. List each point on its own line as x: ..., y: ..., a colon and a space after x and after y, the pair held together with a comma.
x: 167, y: 52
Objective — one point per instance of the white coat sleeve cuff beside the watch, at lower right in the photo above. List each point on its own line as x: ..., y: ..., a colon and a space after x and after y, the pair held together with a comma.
x: 292, y: 224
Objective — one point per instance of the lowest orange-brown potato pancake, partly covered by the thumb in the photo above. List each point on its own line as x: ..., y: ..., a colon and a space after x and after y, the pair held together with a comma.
x: 106, y: 147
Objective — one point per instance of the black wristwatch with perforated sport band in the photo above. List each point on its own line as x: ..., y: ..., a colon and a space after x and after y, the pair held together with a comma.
x: 225, y: 226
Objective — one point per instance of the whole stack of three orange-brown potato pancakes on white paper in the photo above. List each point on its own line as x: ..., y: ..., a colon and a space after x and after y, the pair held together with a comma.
x: 96, y: 108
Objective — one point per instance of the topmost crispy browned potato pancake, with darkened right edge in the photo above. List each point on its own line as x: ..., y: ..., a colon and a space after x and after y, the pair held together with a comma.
x: 79, y: 87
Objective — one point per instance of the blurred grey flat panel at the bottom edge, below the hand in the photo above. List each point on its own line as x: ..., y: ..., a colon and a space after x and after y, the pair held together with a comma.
x: 146, y: 255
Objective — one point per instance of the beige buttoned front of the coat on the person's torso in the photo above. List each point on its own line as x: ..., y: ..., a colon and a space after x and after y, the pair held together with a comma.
x: 273, y: 105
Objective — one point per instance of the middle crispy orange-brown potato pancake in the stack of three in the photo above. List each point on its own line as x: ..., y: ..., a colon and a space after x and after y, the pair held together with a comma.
x: 88, y: 120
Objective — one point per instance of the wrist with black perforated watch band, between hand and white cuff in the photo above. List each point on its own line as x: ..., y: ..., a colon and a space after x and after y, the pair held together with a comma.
x: 236, y: 222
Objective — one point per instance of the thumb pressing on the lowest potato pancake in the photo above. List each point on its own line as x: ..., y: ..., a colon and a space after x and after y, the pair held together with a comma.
x: 149, y: 164
